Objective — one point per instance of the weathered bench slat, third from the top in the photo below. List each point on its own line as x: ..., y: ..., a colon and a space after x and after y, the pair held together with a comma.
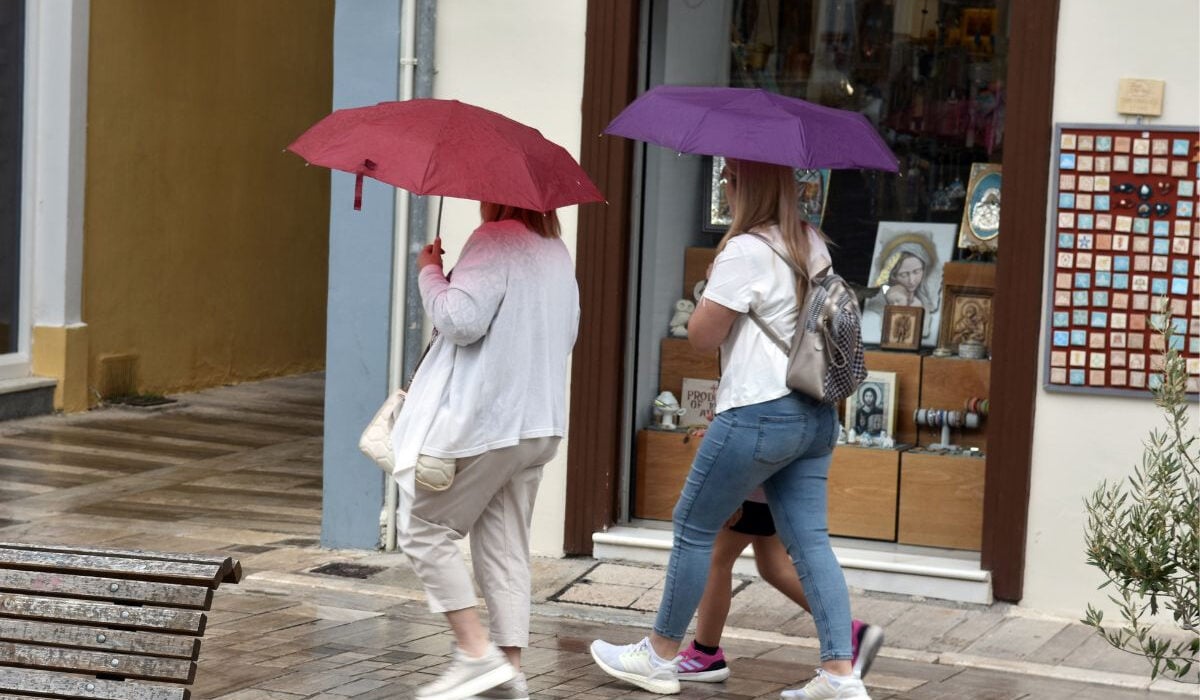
x: 106, y: 589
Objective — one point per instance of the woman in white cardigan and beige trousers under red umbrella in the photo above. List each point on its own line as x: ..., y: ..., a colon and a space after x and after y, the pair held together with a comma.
x: 485, y: 412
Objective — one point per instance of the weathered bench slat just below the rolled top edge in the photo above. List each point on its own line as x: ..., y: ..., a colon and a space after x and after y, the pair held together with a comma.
x: 203, y: 575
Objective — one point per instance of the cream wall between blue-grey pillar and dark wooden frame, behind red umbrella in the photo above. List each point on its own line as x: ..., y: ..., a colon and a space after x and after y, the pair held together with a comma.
x: 524, y: 59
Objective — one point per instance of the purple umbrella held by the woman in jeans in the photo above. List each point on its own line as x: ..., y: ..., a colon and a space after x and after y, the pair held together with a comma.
x: 754, y: 125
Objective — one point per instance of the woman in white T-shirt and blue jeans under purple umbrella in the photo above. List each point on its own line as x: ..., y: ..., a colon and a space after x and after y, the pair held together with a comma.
x: 764, y: 433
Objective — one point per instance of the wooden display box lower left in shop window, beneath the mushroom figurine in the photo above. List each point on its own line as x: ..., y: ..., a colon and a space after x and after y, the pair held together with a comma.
x: 664, y: 460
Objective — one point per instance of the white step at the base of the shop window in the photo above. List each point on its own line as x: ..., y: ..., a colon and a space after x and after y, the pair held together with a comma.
x: 869, y: 566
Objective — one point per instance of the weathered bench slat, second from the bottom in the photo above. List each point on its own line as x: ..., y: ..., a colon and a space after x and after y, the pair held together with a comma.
x: 89, y: 662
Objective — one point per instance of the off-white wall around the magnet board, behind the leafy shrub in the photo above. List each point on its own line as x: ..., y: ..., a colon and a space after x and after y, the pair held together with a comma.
x: 1082, y: 440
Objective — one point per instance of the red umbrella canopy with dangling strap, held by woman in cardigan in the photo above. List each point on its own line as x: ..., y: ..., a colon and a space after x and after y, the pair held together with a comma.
x: 449, y: 148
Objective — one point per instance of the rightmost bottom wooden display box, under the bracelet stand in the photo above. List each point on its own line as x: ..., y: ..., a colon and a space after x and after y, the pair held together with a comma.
x: 941, y: 500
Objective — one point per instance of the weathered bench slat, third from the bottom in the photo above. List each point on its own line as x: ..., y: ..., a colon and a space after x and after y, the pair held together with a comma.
x: 97, y: 638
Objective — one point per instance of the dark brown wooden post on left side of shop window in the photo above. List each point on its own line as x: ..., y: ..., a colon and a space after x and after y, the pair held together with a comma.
x: 598, y: 368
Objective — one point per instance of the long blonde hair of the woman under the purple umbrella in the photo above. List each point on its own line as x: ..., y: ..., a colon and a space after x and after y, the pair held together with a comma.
x: 764, y: 195
